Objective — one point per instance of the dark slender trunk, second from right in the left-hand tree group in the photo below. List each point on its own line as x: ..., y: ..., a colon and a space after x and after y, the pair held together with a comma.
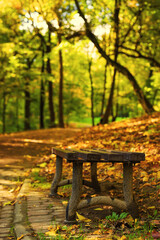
x: 50, y: 85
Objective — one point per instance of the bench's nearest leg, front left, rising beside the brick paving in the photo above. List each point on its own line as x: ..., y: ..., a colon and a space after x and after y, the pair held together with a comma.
x: 76, y: 193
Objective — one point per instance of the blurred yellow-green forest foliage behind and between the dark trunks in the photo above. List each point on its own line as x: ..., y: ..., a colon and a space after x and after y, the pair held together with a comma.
x: 24, y: 32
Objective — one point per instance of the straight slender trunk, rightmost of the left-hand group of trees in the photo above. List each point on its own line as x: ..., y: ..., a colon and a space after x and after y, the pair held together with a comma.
x: 61, y: 121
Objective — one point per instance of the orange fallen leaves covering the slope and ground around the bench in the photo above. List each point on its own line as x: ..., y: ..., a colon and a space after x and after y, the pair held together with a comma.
x: 137, y: 135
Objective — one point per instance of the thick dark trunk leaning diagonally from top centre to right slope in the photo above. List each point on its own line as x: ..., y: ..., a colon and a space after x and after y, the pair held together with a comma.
x: 147, y: 106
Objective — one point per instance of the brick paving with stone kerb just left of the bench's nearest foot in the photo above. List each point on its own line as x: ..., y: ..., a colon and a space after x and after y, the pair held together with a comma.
x: 35, y: 212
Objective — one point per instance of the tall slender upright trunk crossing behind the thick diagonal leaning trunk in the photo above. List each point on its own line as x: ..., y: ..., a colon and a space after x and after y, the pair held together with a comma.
x: 110, y: 100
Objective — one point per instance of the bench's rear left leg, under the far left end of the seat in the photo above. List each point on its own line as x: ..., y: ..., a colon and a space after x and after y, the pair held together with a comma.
x: 57, y: 176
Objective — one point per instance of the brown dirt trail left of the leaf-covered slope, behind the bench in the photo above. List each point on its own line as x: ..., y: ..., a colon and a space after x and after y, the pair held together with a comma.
x: 19, y: 152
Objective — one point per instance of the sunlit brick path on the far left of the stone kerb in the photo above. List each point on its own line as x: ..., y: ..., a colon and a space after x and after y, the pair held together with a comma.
x: 9, y: 181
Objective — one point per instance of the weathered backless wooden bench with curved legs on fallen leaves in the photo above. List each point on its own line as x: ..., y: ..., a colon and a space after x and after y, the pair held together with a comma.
x: 78, y: 157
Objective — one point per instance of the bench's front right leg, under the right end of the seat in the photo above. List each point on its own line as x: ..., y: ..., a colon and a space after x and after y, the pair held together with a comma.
x: 128, y: 189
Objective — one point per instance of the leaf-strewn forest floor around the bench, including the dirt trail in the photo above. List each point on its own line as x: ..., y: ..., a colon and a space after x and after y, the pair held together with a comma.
x: 137, y: 135
